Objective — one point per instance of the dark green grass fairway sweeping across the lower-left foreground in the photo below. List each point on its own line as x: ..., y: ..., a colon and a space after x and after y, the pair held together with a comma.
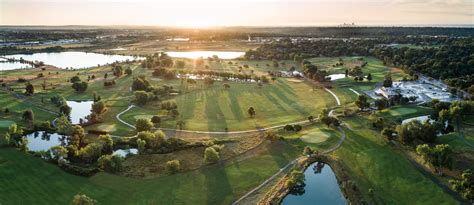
x: 29, y: 180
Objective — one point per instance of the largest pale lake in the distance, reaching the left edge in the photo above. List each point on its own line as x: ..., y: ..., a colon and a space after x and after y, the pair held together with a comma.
x: 73, y: 59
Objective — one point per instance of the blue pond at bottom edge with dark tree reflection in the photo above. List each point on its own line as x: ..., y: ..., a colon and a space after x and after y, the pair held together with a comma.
x: 321, y: 187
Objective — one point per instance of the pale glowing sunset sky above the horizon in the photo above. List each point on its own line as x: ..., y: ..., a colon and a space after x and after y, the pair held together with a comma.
x: 205, y: 13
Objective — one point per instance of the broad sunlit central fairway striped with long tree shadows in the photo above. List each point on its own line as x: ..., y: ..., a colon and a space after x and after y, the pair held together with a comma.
x: 216, y: 108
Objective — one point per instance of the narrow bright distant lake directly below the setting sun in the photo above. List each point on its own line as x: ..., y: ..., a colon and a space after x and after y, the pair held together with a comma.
x: 205, y: 54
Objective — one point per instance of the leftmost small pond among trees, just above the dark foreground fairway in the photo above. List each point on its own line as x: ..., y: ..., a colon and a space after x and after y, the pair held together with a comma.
x: 42, y: 141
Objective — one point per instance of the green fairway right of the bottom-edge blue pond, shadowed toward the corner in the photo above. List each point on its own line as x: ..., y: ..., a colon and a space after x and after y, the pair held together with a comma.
x: 375, y: 164
